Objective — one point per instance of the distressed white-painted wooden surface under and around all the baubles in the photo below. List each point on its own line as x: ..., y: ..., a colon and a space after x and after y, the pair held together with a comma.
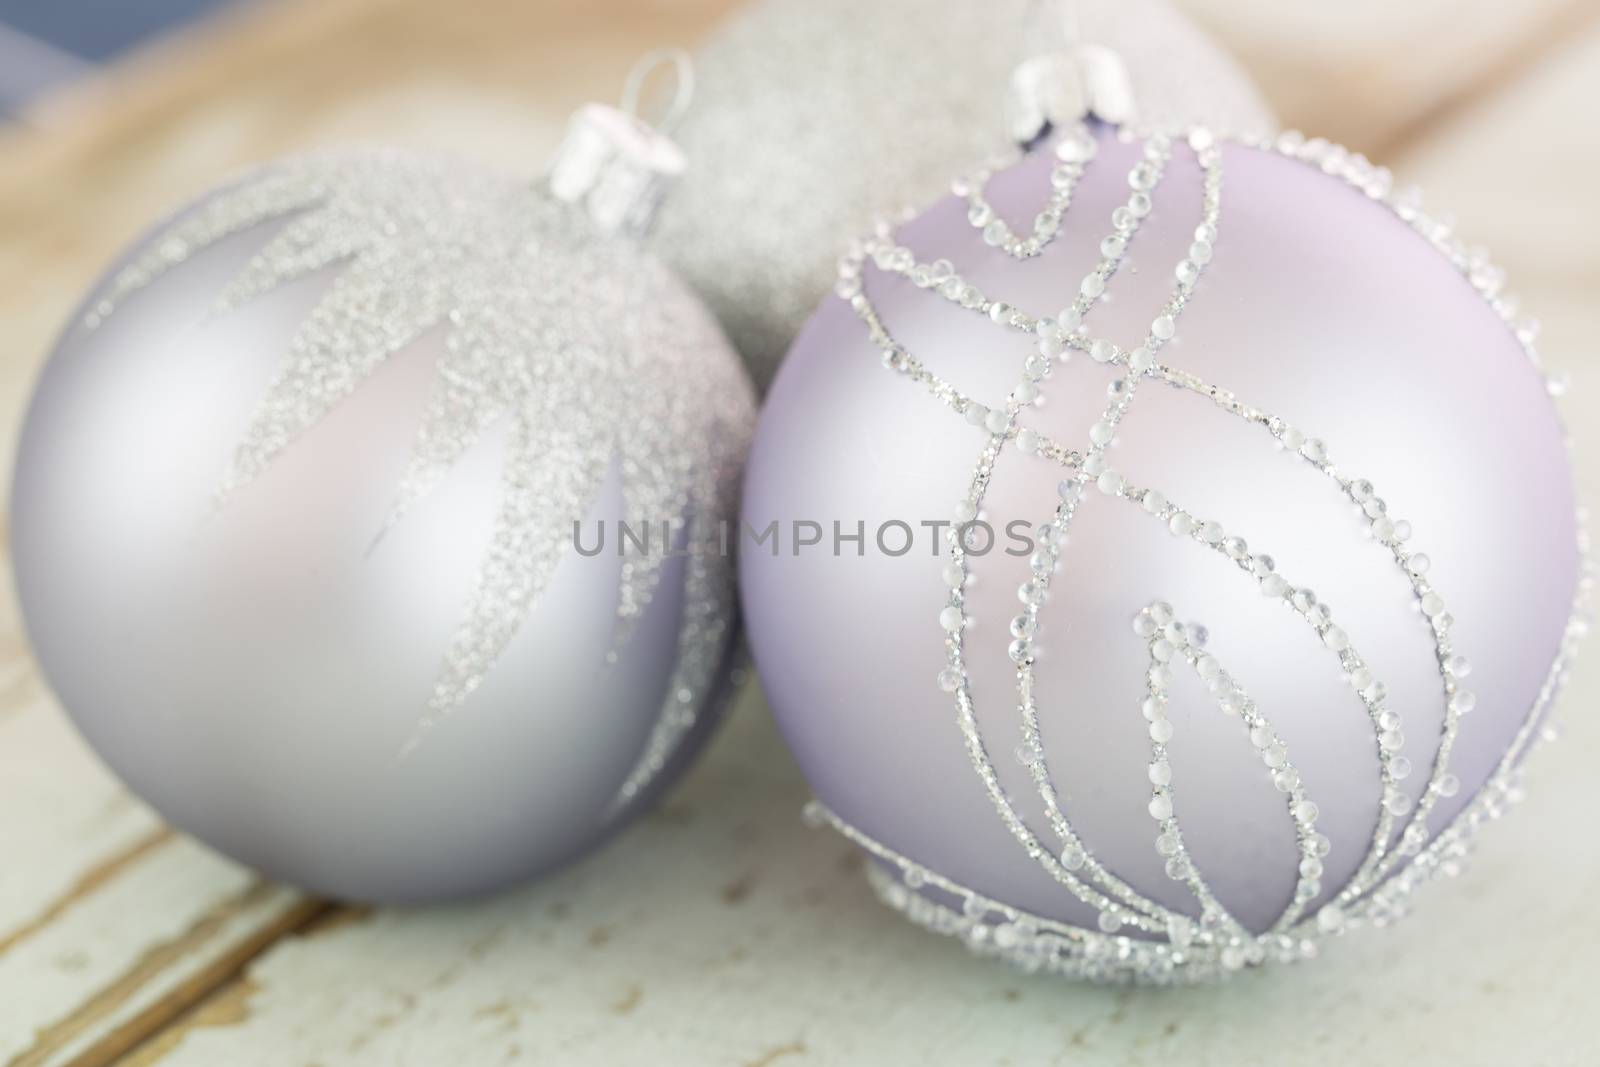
x: 721, y: 932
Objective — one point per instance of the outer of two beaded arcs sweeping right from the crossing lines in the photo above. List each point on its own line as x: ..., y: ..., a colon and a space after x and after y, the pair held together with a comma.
x: 1414, y: 565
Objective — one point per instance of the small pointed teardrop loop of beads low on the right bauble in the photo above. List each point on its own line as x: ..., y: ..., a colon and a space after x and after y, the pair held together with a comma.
x: 1170, y: 641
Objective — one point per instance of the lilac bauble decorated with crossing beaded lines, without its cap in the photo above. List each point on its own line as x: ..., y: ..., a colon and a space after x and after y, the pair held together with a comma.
x: 1188, y: 578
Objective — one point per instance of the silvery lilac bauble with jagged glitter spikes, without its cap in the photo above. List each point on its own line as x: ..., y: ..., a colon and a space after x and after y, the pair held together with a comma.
x: 295, y: 519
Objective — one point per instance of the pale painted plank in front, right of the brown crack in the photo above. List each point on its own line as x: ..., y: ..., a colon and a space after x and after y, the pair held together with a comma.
x: 721, y: 932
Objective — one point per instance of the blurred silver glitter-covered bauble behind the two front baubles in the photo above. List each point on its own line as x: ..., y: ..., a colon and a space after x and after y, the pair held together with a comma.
x: 815, y: 116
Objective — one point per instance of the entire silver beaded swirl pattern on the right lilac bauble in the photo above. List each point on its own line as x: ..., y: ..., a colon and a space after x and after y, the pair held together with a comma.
x: 1140, y: 938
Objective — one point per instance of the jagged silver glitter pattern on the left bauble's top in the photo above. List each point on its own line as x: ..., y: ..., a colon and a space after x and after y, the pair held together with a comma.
x: 588, y: 350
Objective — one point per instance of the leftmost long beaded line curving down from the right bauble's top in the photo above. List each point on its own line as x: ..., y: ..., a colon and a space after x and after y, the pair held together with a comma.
x: 1145, y: 914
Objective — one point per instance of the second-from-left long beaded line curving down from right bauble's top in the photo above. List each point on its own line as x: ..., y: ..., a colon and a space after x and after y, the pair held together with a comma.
x: 1052, y: 533
